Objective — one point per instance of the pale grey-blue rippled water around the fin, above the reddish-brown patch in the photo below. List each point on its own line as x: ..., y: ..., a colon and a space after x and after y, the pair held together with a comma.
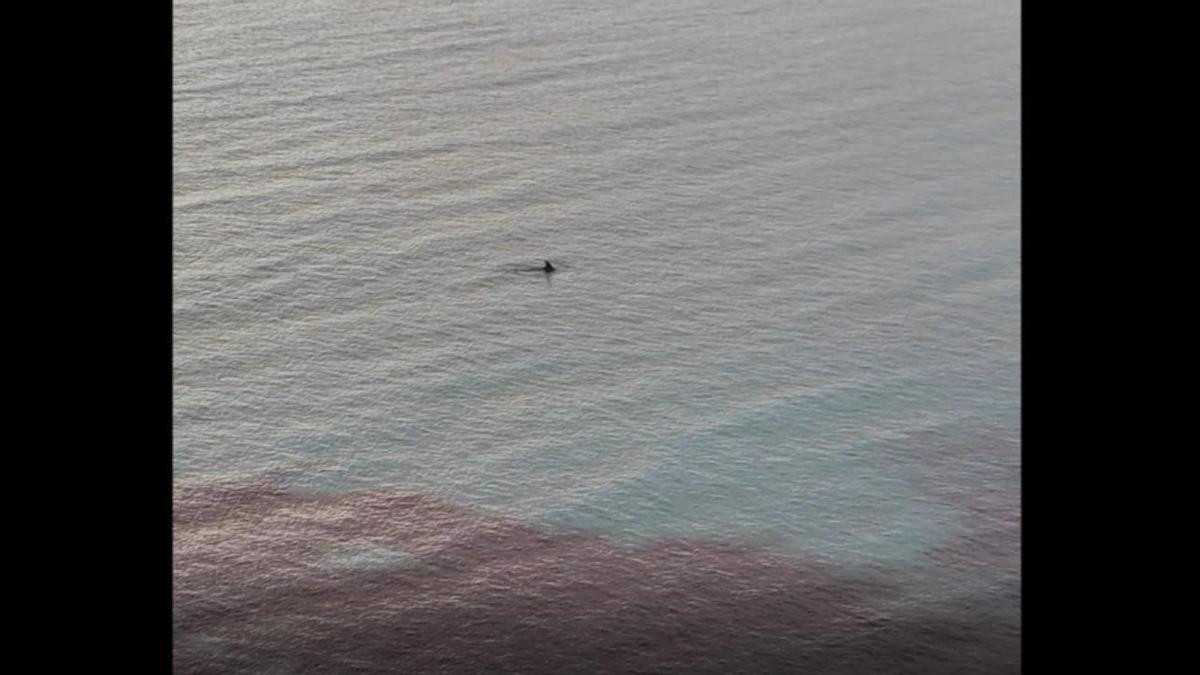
x: 789, y: 290
